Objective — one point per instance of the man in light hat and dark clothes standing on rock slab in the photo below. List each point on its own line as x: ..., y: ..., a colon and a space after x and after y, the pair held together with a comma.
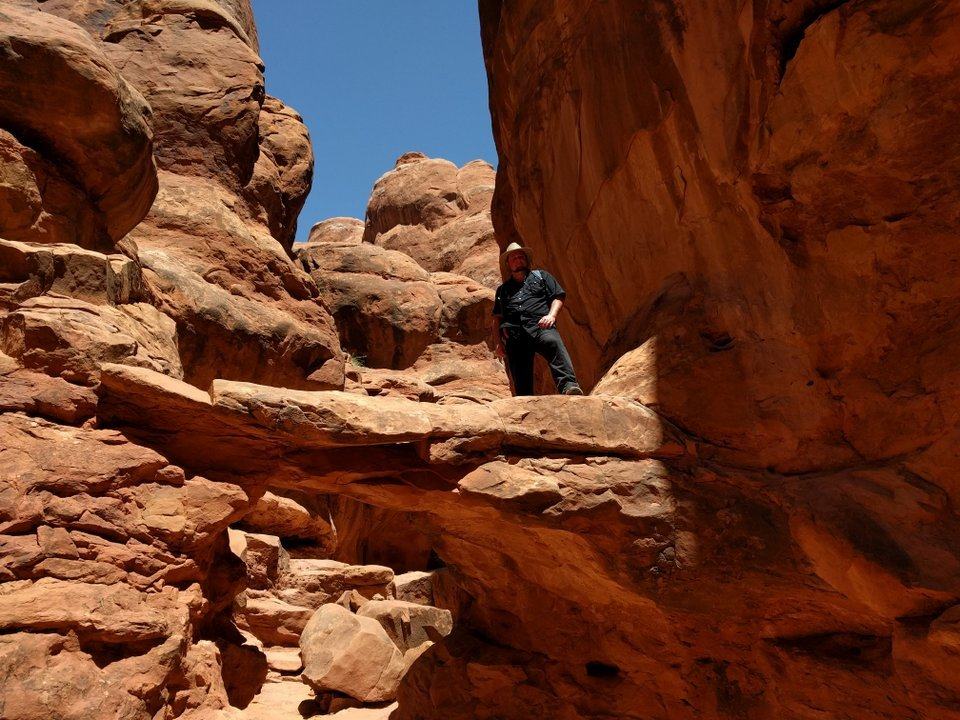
x: 525, y: 314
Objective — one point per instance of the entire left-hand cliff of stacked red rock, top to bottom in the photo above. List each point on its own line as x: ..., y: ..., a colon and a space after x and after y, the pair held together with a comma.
x: 148, y: 196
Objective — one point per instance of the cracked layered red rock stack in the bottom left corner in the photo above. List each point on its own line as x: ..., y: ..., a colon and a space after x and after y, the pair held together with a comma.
x: 108, y: 551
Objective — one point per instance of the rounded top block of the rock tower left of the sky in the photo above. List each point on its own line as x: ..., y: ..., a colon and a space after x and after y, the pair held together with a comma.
x: 205, y: 86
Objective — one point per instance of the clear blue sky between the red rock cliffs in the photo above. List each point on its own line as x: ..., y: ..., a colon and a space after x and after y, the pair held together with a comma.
x: 374, y: 79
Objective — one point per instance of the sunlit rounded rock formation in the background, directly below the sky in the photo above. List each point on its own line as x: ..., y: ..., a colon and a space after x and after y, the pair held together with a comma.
x: 410, y: 289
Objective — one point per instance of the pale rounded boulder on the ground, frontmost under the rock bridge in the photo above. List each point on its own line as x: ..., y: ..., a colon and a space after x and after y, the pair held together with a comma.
x: 350, y: 654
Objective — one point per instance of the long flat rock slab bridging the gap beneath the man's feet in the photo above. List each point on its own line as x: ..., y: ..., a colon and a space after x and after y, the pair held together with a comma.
x: 268, y: 421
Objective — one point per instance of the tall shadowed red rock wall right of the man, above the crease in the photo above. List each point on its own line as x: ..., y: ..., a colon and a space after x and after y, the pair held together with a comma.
x: 738, y: 186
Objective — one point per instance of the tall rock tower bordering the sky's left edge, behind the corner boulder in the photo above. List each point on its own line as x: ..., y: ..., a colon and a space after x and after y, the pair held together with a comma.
x: 235, y: 168
